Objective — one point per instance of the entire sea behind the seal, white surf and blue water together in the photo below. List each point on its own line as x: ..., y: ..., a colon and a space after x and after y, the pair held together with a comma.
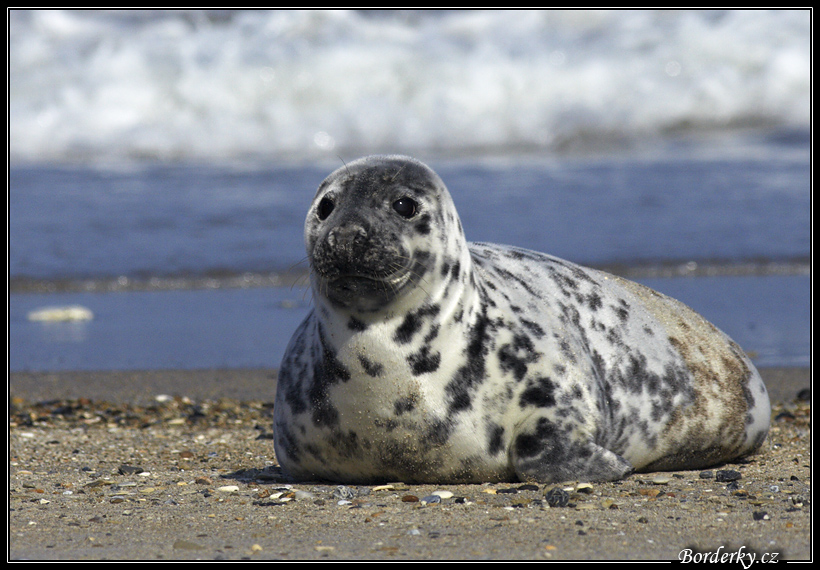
x: 162, y: 162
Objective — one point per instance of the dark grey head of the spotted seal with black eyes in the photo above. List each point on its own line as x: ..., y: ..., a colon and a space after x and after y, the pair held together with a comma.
x: 367, y: 232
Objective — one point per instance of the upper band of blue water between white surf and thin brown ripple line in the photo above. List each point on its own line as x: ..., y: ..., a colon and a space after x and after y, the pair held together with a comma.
x: 78, y: 222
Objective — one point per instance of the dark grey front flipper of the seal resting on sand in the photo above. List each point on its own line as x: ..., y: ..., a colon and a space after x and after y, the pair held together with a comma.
x: 547, y: 455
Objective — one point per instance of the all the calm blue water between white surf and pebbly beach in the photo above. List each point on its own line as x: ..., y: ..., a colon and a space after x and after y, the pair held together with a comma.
x: 187, y: 222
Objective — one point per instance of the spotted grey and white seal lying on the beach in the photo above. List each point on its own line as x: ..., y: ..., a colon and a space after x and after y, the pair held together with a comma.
x: 429, y: 359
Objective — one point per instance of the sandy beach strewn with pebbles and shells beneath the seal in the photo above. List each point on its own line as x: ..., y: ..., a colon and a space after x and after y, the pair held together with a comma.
x: 171, y: 465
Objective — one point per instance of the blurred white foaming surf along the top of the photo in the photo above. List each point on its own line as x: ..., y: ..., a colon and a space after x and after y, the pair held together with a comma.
x: 121, y: 85
